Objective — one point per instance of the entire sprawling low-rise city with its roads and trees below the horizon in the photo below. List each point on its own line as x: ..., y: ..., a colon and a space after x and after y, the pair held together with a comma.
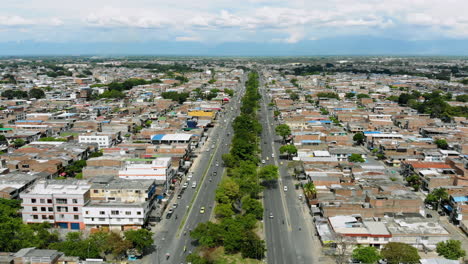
x: 229, y: 160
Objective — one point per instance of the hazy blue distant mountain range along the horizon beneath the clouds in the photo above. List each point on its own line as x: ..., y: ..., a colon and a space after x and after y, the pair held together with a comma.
x: 330, y: 46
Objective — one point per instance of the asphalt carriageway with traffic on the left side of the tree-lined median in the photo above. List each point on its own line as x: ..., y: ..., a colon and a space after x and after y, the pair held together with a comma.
x: 172, y: 235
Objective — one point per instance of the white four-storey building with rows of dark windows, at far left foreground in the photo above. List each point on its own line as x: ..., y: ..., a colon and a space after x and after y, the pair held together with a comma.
x: 57, y: 202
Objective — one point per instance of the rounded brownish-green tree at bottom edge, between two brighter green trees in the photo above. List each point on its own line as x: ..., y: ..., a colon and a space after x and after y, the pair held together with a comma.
x: 396, y: 253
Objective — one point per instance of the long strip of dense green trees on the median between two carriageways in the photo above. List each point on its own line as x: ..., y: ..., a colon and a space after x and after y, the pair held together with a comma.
x: 238, y: 208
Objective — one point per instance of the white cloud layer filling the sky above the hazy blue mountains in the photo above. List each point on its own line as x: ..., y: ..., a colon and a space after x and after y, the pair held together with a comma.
x: 215, y: 20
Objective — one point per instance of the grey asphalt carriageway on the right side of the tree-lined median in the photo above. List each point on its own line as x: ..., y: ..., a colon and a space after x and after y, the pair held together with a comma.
x: 288, y: 234
